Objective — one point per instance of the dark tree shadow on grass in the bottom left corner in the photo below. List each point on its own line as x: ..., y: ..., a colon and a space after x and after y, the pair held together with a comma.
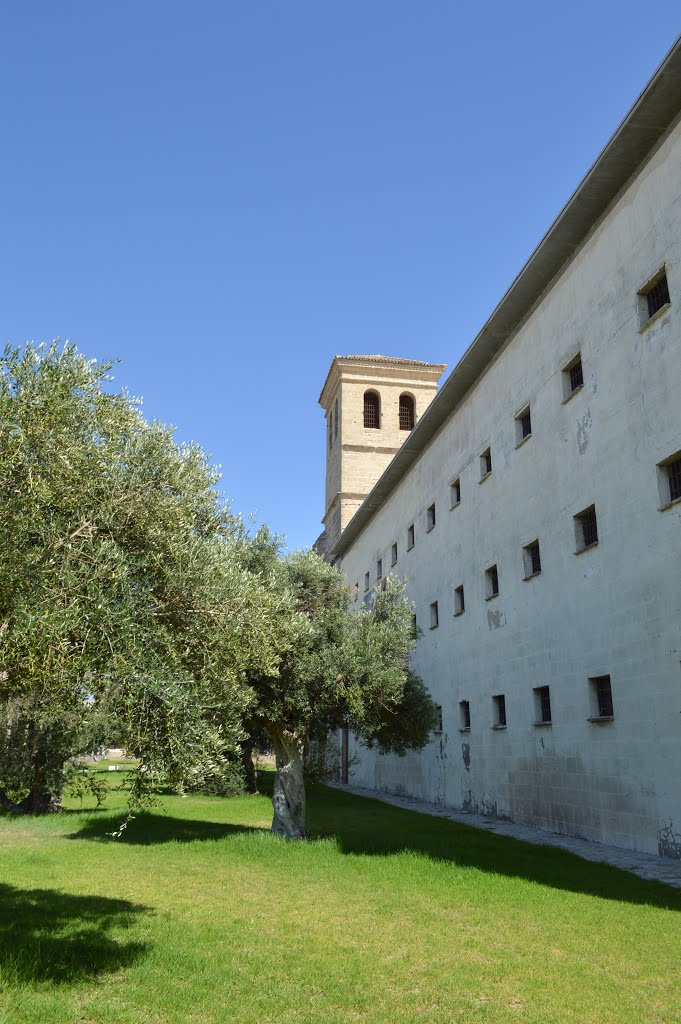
x: 52, y: 936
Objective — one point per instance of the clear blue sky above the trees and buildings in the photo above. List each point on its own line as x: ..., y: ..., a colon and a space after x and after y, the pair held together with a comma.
x: 225, y: 195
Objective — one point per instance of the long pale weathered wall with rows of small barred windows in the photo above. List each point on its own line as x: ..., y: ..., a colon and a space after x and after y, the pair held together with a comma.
x: 614, y: 610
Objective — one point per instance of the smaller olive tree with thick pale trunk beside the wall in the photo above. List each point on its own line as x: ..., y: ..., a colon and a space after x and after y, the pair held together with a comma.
x: 347, y: 670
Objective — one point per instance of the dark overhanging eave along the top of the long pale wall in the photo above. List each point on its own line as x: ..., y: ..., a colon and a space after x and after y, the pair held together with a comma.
x: 643, y: 129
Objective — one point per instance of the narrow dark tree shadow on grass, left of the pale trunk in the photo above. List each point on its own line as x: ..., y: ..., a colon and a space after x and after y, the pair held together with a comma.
x: 152, y: 830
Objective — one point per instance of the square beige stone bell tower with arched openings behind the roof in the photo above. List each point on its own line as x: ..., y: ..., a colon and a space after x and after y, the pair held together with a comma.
x: 372, y: 403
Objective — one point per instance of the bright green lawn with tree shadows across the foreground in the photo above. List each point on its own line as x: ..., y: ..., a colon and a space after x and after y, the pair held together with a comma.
x: 199, y: 916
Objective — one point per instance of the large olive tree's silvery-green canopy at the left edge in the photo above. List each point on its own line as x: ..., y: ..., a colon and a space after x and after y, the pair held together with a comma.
x: 126, y: 594
